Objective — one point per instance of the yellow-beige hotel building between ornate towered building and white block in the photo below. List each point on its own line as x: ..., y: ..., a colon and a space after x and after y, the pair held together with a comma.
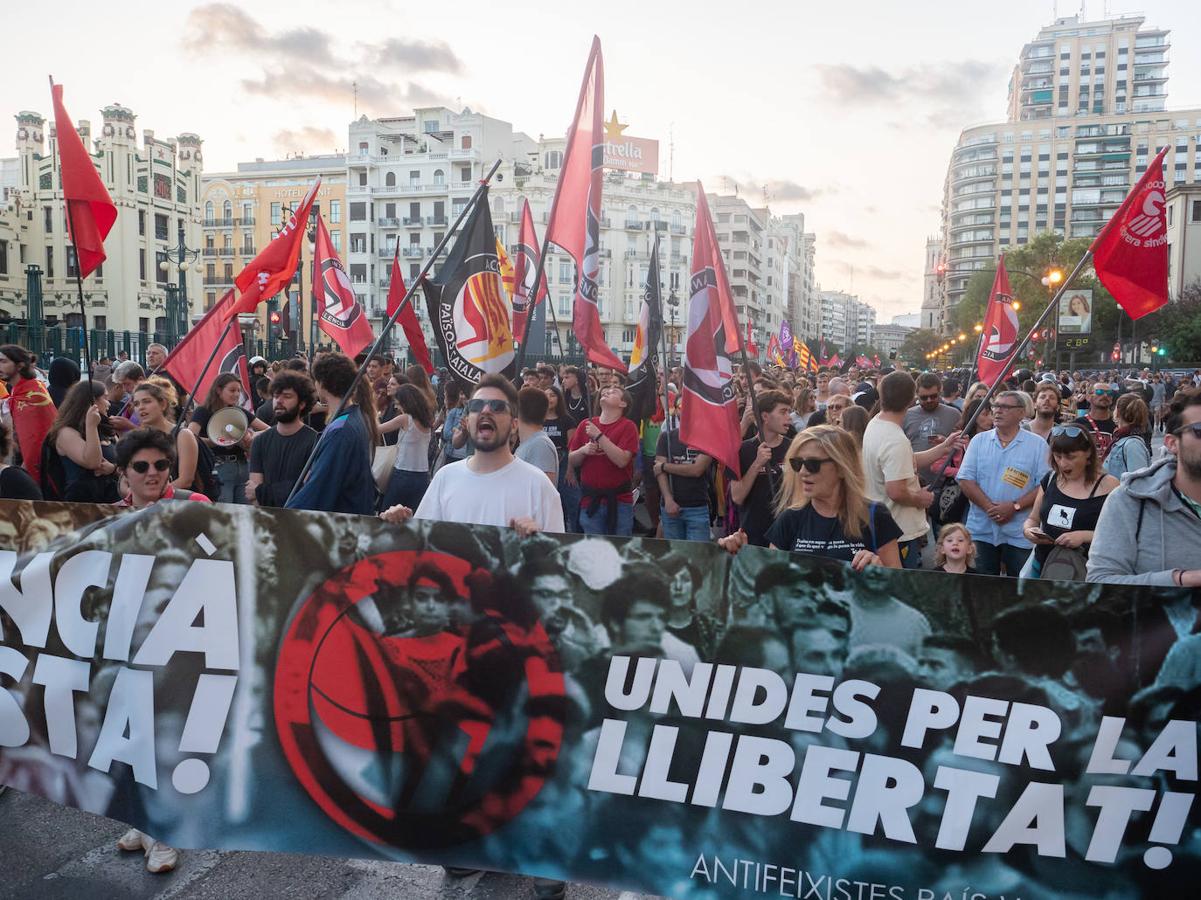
x: 243, y: 211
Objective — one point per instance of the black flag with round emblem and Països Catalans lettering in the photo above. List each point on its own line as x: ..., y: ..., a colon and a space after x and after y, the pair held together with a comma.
x: 469, y: 307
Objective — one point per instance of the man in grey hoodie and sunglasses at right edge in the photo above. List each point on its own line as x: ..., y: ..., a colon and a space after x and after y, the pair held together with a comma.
x: 1150, y: 531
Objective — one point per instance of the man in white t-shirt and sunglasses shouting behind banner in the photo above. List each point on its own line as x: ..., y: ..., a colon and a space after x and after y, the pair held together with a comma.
x: 492, y: 487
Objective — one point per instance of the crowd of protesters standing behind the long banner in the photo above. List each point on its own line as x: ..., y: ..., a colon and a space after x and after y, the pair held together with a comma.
x: 1051, y: 475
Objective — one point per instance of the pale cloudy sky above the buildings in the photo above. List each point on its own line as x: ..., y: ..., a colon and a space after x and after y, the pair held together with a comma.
x: 847, y: 112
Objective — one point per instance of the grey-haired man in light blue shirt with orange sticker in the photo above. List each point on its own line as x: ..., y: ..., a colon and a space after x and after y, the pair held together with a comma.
x: 1000, y: 476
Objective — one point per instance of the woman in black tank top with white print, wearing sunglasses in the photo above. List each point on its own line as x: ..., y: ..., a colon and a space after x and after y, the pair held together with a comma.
x: 1071, y: 497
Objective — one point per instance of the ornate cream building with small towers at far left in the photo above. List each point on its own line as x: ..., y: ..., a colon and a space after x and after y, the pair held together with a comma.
x: 157, y: 187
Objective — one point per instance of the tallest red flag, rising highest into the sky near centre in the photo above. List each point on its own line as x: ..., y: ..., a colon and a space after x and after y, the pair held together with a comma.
x: 576, y: 216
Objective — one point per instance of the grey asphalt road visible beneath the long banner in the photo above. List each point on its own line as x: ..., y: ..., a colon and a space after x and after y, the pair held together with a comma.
x: 50, y: 851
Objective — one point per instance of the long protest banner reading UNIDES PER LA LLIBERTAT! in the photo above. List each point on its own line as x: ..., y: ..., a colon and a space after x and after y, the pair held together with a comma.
x: 654, y: 716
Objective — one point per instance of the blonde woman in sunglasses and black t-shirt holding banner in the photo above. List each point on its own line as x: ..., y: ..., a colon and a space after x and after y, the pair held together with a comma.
x: 822, y: 508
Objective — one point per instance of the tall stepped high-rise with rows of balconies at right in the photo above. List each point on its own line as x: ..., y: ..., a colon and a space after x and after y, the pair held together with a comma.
x: 1086, y: 116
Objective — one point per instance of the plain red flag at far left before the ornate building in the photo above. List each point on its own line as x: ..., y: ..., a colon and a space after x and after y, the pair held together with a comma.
x: 91, y: 211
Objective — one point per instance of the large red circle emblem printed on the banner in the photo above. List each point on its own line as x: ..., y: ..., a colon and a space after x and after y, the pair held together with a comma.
x: 417, y: 741
